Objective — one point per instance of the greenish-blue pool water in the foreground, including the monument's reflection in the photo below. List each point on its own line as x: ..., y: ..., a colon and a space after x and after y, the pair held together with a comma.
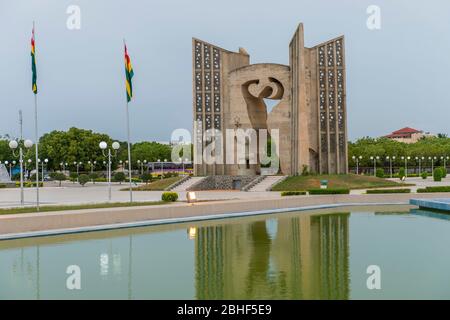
x: 305, y: 255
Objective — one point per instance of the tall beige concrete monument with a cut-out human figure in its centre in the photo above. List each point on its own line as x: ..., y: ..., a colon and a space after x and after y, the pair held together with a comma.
x: 310, y: 111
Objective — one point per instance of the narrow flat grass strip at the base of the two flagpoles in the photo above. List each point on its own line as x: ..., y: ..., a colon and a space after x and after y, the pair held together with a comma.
x: 80, y: 206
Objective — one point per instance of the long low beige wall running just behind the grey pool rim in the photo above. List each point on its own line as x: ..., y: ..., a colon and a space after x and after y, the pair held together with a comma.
x: 29, y: 222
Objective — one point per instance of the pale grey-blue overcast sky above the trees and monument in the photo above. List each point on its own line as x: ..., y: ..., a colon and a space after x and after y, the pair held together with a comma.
x: 396, y: 76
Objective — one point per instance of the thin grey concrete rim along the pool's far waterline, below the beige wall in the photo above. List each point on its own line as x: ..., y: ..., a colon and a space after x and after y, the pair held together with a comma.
x: 155, y: 222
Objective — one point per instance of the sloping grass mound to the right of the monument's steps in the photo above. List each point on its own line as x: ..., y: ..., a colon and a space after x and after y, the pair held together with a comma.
x: 345, y: 181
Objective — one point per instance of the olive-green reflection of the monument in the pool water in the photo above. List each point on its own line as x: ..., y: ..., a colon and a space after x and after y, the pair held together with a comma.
x: 303, y: 257
